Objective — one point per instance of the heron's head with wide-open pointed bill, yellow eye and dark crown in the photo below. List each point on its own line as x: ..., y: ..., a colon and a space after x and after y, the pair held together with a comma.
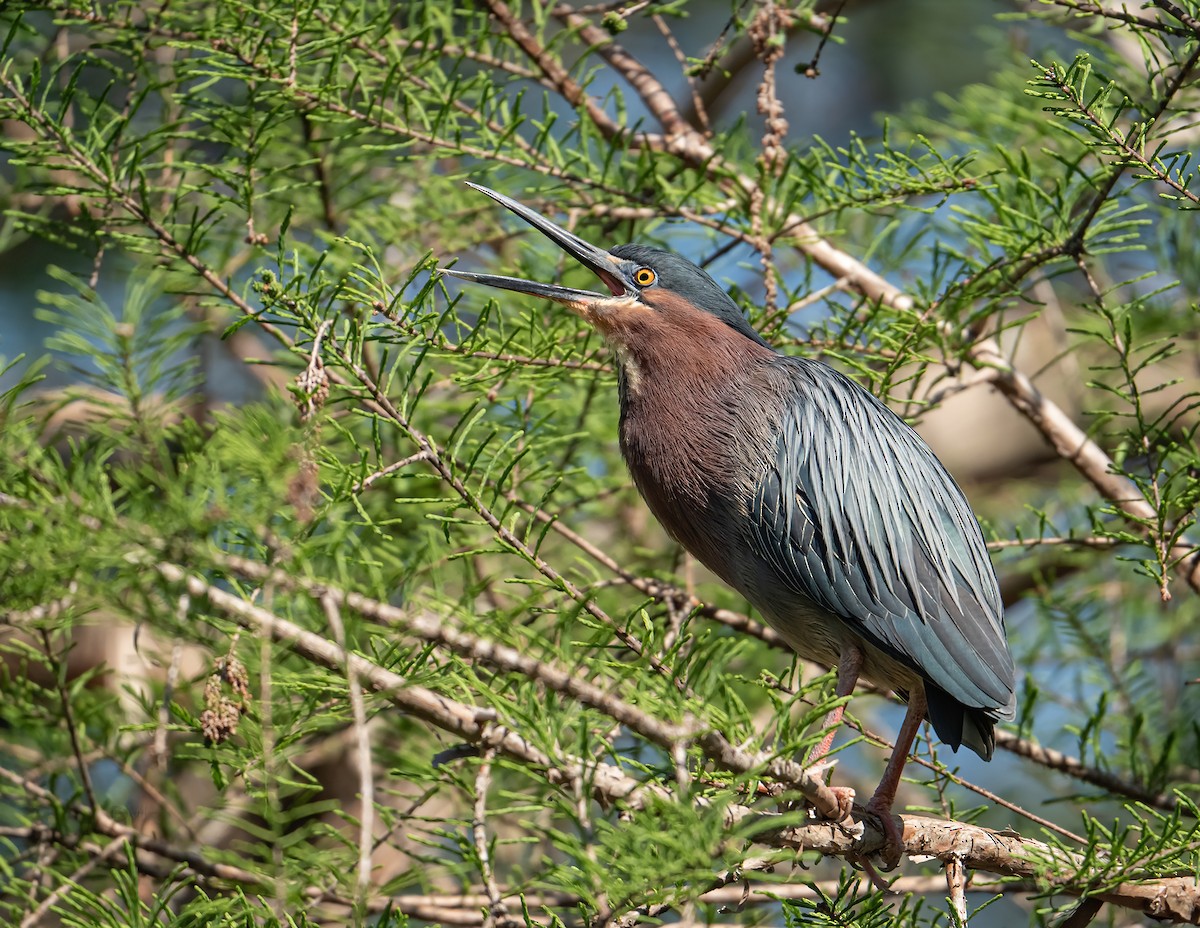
x: 649, y: 288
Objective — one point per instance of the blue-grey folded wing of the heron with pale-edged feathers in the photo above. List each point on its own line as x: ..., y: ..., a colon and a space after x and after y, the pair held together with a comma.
x: 859, y: 516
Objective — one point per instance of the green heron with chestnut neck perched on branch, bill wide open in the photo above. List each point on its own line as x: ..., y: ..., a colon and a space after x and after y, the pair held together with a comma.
x: 802, y: 492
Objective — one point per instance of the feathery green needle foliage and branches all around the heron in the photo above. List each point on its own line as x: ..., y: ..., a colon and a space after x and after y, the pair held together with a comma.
x: 326, y: 596
